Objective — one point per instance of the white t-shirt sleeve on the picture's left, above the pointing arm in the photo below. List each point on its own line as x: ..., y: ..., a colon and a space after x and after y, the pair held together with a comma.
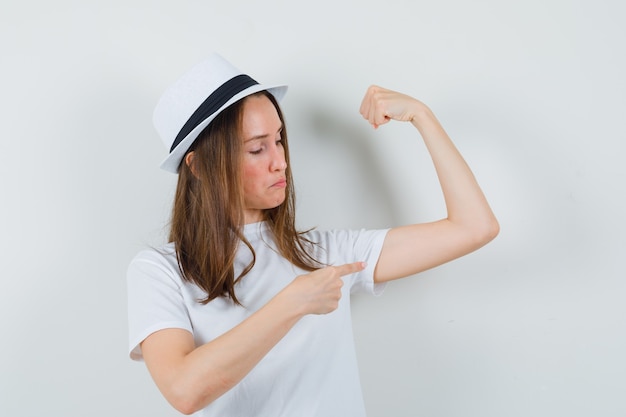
x: 155, y: 299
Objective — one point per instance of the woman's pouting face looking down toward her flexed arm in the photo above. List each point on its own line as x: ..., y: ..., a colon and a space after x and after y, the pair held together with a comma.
x: 264, y: 158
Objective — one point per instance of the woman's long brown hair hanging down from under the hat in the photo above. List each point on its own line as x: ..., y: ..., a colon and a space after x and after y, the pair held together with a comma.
x: 207, y: 217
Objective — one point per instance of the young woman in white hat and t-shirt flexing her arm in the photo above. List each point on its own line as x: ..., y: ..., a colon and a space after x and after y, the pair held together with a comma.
x: 243, y: 315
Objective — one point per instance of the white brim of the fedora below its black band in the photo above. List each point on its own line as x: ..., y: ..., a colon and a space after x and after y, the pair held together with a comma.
x: 173, y: 160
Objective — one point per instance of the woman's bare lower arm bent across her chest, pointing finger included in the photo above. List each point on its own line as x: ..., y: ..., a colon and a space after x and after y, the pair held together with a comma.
x: 191, y: 377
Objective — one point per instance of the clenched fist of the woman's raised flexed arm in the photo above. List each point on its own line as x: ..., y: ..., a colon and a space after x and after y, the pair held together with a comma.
x: 380, y: 105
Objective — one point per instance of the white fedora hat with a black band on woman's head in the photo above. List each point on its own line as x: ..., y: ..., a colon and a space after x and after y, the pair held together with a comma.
x: 192, y: 102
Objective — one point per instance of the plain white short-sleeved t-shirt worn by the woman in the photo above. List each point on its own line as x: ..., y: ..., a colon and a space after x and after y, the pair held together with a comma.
x: 312, y: 371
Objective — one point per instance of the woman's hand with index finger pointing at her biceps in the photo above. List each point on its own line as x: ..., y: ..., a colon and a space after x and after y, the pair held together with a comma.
x: 319, y: 292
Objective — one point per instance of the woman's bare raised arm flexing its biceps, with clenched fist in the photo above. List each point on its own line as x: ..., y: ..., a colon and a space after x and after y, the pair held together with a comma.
x: 469, y: 223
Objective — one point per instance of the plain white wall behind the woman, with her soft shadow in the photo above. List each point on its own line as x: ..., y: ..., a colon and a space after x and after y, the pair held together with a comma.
x: 532, y: 92
